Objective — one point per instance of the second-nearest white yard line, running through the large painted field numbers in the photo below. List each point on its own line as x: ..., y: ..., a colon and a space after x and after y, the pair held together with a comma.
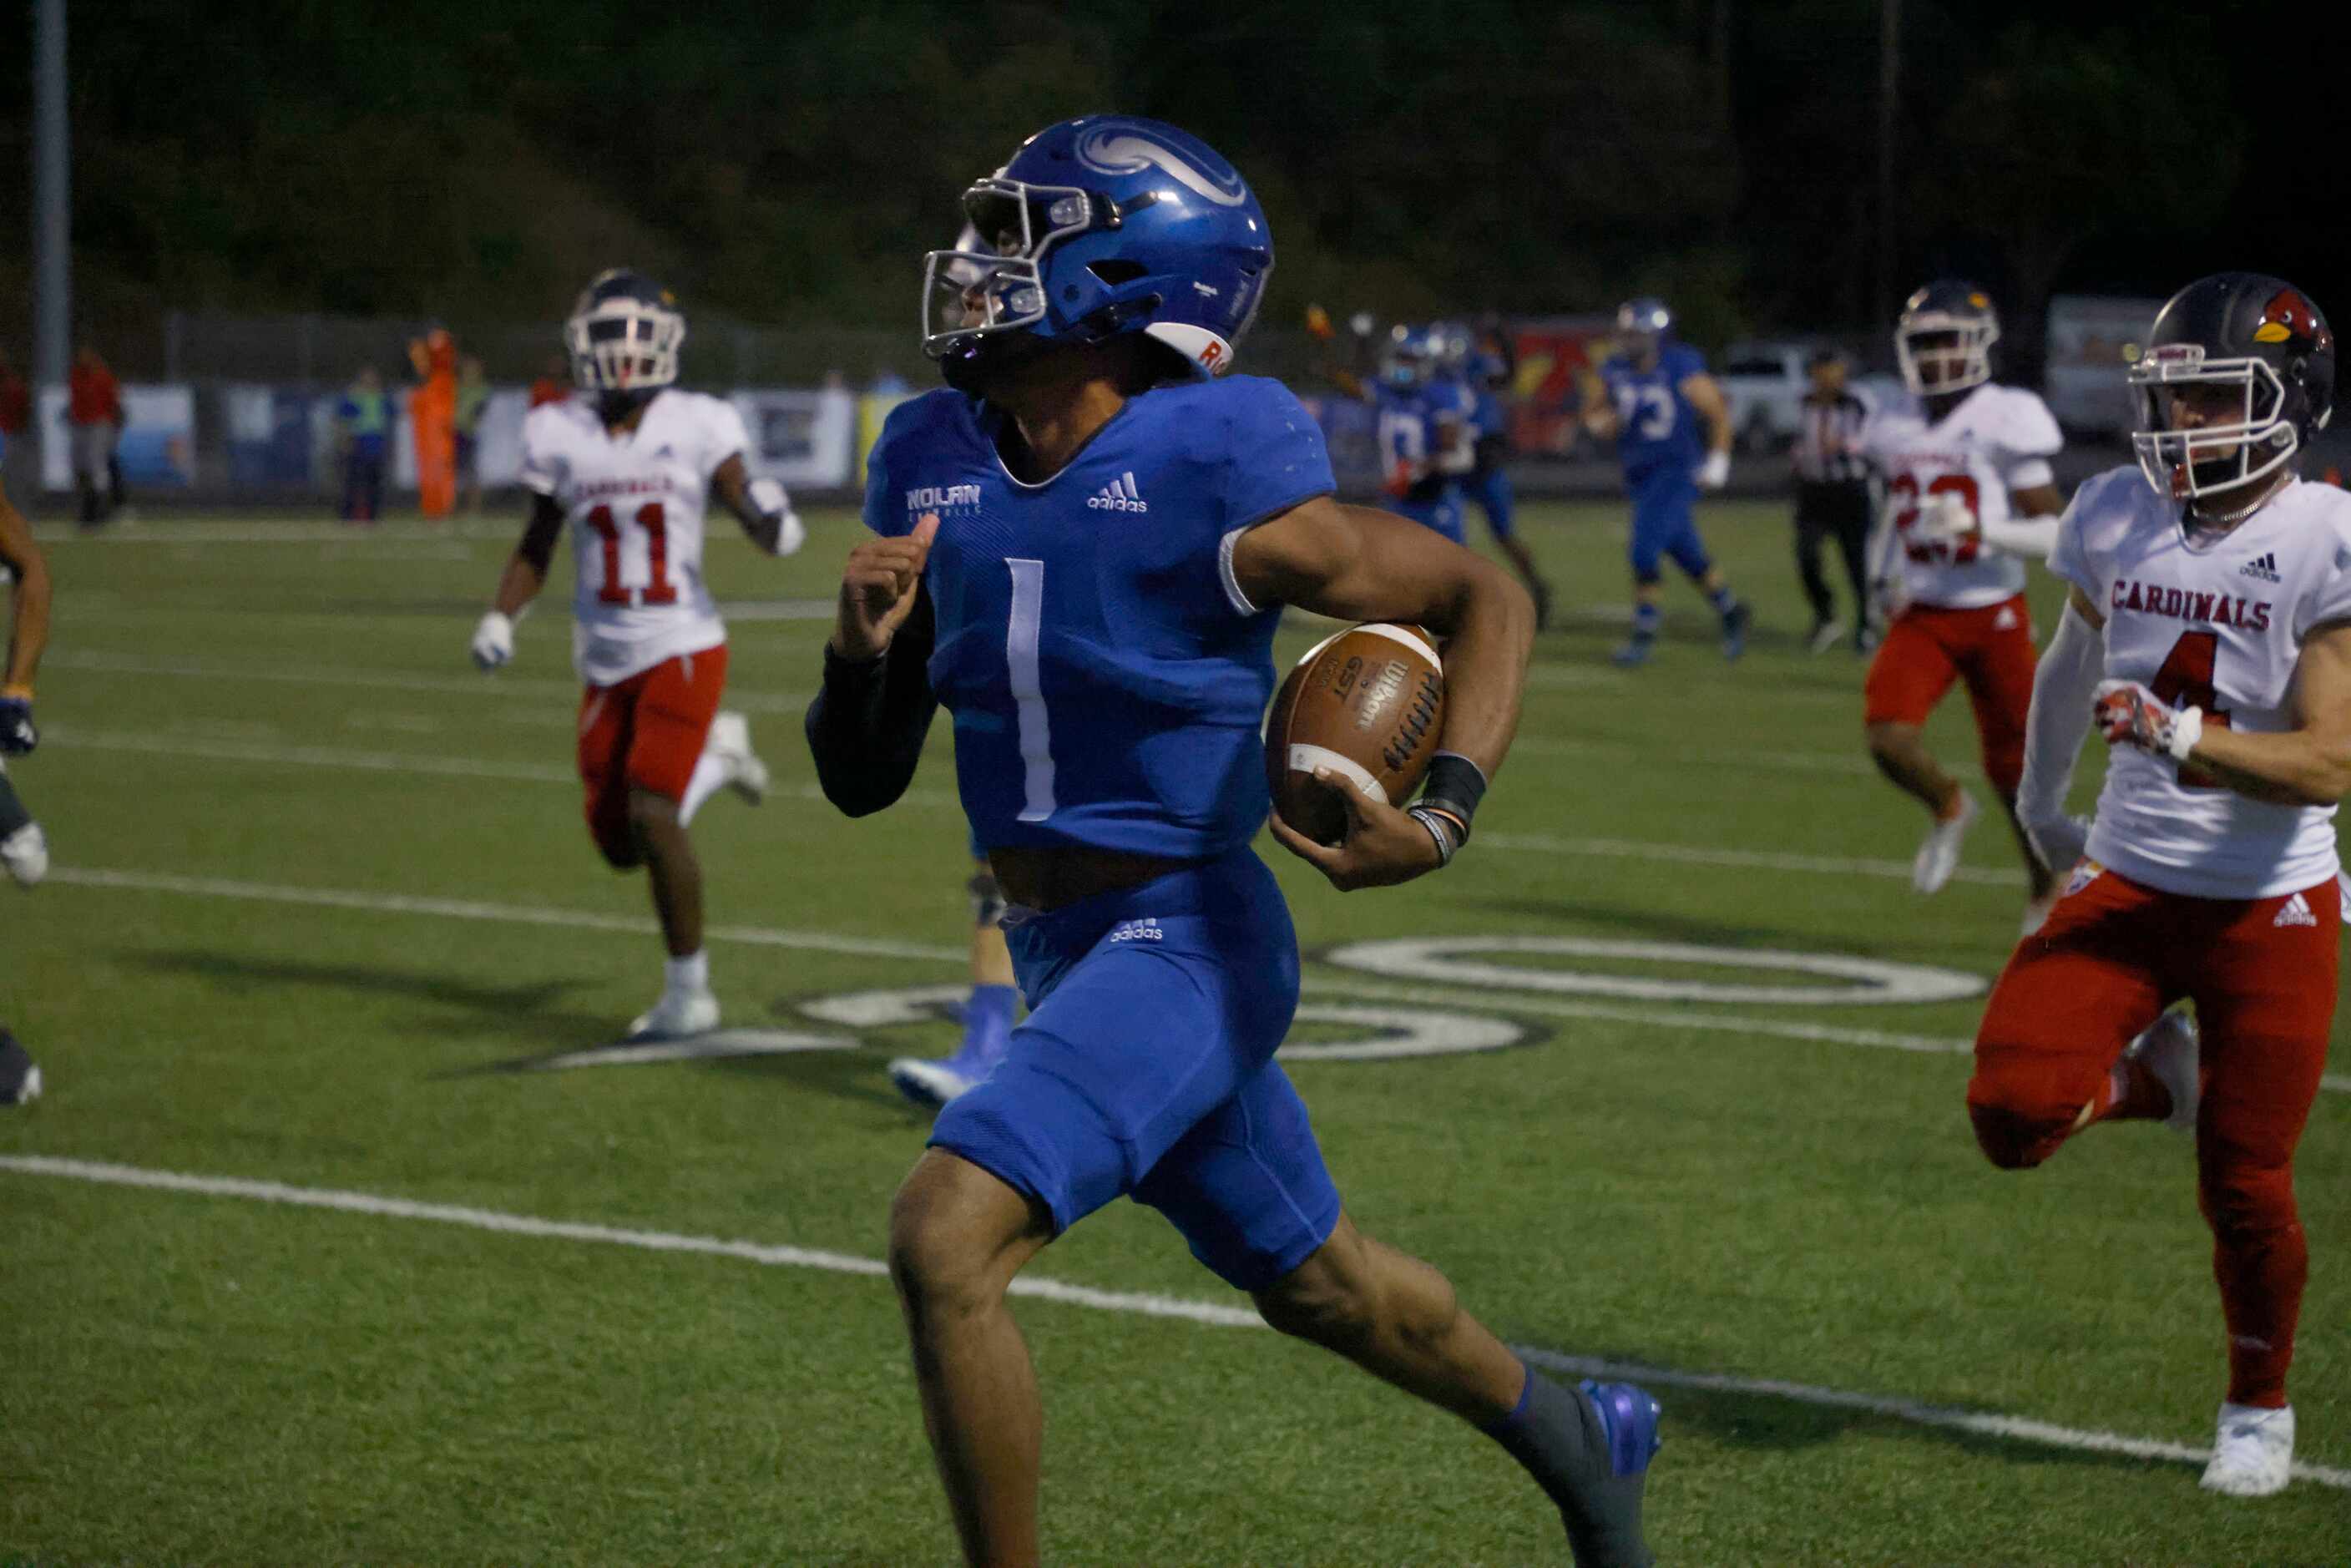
x: 763, y: 937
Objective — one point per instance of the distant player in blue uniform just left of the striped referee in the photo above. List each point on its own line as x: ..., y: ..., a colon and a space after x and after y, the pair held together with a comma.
x: 1673, y: 434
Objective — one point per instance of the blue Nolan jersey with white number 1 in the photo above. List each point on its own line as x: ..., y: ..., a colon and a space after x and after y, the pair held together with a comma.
x: 1104, y: 669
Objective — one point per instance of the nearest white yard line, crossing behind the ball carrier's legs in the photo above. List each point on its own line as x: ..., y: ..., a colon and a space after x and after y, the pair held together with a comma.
x: 1132, y: 1304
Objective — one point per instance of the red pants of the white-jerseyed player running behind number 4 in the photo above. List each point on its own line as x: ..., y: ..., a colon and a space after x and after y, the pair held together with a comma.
x: 1992, y: 650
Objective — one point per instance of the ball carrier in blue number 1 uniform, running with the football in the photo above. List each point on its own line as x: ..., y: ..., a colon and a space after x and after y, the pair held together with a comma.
x: 1085, y: 544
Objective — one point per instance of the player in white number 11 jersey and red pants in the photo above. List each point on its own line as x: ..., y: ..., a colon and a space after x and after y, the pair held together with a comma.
x: 631, y: 464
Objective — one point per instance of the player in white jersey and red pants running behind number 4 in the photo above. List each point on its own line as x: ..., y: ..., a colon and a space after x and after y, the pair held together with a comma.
x: 1969, y: 497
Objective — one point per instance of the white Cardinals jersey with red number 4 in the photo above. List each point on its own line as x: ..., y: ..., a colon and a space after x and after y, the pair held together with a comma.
x: 2218, y: 624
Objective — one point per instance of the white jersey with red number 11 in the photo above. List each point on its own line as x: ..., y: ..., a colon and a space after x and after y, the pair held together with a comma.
x: 636, y: 504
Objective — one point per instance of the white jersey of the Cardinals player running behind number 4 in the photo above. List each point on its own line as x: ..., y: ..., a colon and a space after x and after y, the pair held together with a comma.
x: 1992, y: 445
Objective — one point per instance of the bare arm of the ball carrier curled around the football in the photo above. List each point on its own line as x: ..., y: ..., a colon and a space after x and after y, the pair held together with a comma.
x: 1358, y: 563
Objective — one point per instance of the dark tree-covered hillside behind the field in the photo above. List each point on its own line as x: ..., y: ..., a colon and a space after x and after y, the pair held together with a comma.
x: 793, y: 163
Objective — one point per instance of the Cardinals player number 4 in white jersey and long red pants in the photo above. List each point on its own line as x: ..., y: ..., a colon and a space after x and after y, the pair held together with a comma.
x: 2209, y: 638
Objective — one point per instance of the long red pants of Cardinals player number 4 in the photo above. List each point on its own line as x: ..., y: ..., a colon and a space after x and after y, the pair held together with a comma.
x: 2263, y: 979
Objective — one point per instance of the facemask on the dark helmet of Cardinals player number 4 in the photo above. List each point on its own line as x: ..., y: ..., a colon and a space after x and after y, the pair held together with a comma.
x: 2211, y: 460
